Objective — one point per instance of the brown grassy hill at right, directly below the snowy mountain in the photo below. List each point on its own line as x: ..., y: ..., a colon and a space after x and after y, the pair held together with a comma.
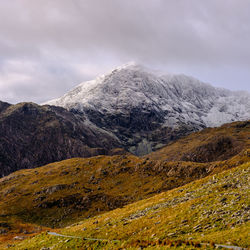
x: 210, y: 144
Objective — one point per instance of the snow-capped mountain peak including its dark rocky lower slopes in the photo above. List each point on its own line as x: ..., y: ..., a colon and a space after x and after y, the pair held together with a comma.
x: 147, y: 111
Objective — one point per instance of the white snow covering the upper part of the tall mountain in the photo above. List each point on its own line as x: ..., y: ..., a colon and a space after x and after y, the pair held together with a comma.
x: 182, y: 97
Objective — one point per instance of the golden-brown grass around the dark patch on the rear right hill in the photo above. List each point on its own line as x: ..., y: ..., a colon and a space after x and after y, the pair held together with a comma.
x: 238, y: 132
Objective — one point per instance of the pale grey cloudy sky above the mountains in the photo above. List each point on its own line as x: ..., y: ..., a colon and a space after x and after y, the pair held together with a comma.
x: 49, y: 46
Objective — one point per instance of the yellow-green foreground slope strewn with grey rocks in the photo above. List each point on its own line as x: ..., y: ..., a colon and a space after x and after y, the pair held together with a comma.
x: 211, y: 210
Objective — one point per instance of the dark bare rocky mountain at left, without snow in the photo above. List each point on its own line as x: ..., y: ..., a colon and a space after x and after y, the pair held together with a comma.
x: 33, y: 135
